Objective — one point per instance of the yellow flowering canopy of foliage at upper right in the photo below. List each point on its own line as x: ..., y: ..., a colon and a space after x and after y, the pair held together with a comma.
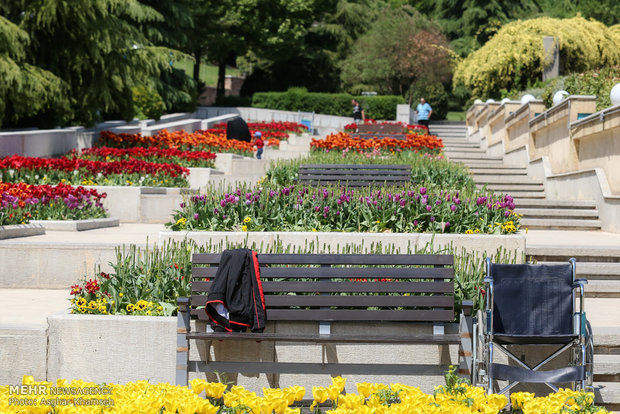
x: 515, y: 56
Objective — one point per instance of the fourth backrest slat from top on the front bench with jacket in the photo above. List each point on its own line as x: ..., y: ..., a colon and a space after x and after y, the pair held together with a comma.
x: 365, y: 301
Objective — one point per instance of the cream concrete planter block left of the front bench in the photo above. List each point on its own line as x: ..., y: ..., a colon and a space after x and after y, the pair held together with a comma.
x: 112, y: 348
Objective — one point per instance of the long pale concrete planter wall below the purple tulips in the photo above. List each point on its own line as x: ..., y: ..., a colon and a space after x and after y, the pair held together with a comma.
x: 483, y: 244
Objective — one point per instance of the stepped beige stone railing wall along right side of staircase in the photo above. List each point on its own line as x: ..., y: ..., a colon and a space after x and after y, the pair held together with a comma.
x: 576, y: 151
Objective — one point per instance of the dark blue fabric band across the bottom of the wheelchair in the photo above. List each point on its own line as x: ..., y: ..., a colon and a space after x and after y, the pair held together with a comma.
x: 509, y: 373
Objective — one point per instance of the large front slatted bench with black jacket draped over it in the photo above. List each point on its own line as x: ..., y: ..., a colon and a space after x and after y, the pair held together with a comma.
x: 413, y: 295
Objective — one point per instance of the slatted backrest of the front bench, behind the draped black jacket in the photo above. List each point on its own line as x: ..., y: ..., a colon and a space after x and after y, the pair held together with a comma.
x: 344, y: 287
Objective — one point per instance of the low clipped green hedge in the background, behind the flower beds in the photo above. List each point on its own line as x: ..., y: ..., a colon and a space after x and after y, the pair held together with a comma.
x: 299, y: 99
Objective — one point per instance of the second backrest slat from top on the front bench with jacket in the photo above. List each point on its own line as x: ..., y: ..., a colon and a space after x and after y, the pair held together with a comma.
x: 339, y: 272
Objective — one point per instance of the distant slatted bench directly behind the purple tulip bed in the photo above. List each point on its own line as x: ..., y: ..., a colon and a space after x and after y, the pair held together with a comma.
x: 353, y: 175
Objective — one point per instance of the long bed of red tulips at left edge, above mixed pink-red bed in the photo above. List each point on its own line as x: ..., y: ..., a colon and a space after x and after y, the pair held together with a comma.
x: 34, y: 170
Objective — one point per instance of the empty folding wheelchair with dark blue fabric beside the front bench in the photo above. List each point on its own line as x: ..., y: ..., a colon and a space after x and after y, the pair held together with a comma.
x: 531, y: 305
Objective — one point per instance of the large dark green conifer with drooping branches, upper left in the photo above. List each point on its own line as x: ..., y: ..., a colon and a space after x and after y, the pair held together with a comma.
x: 96, y: 47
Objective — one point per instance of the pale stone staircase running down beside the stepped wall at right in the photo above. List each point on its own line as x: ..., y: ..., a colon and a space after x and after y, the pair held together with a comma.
x: 600, y: 265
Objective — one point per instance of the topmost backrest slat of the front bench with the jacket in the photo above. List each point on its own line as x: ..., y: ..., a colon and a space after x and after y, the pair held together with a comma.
x: 338, y: 259
